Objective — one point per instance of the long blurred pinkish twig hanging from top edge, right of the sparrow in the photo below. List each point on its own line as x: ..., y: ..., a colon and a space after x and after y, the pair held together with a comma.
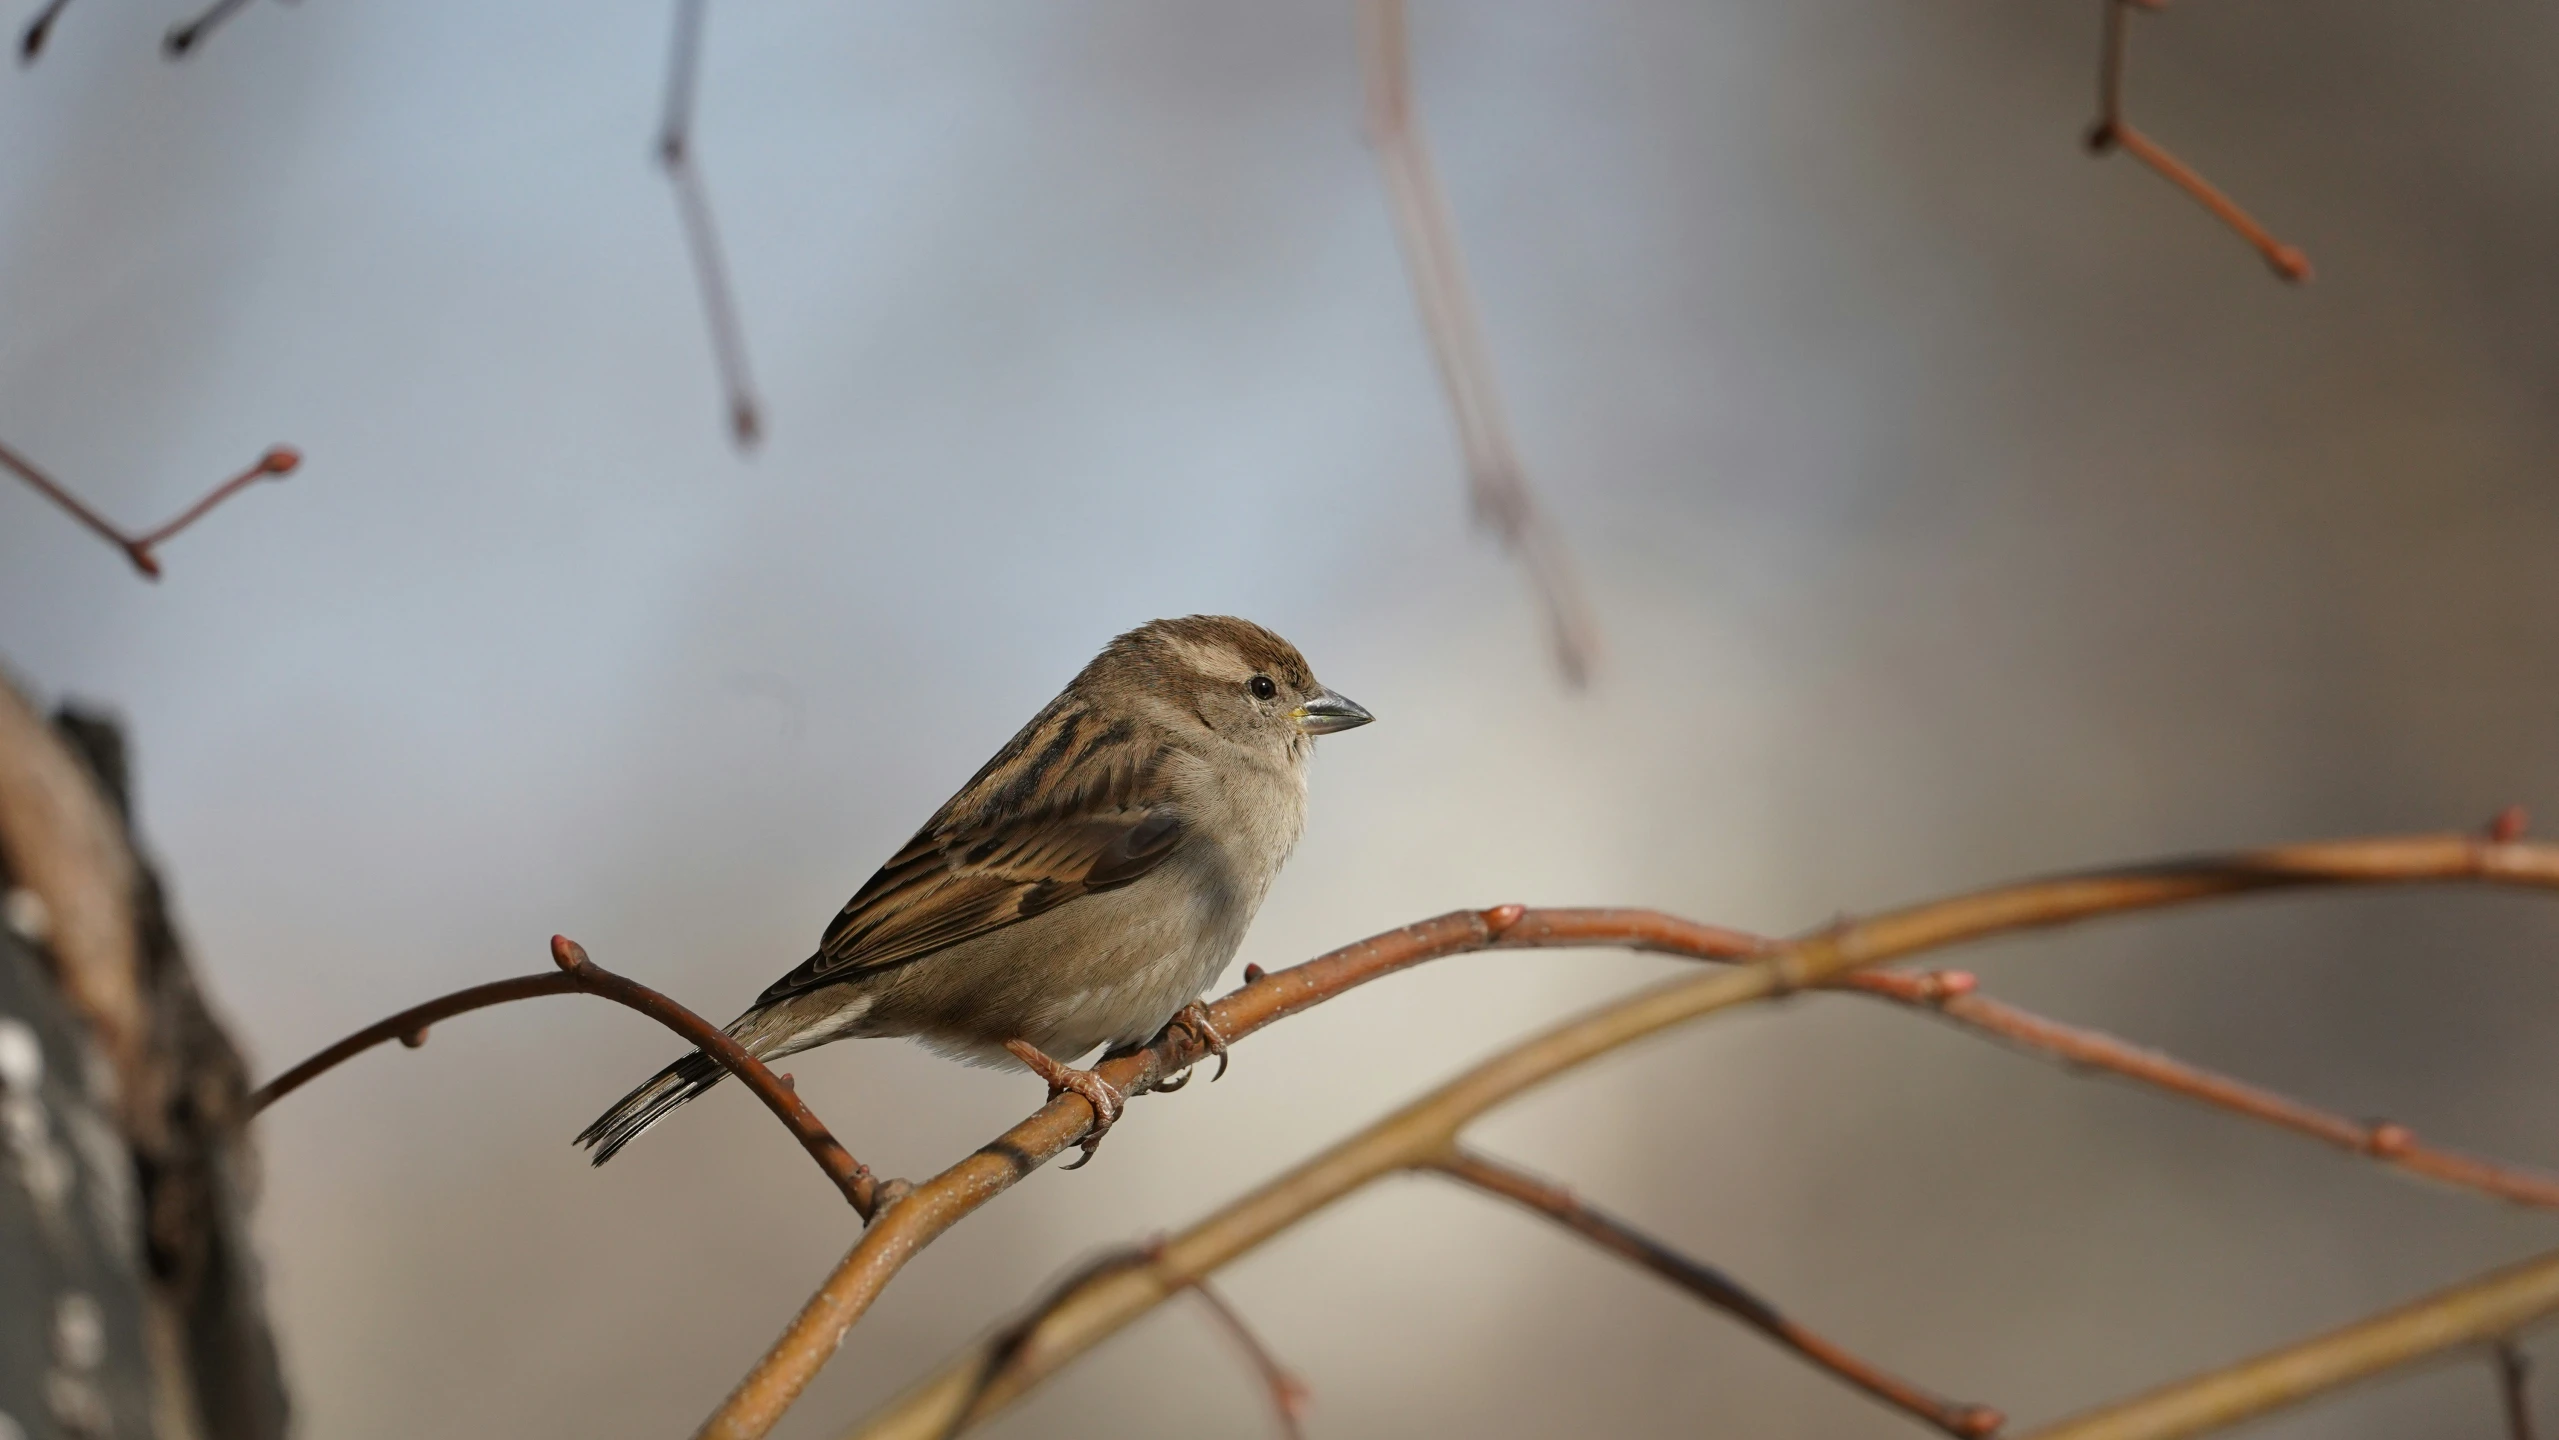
x: 1445, y: 295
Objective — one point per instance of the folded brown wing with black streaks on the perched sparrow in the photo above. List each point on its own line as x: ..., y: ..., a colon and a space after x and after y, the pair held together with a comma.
x: 1043, y: 825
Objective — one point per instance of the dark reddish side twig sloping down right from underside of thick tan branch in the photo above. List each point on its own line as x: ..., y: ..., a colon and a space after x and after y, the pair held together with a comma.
x: 1716, y: 1288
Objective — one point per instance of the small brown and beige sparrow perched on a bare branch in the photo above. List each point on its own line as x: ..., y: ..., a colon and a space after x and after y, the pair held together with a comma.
x: 1081, y: 891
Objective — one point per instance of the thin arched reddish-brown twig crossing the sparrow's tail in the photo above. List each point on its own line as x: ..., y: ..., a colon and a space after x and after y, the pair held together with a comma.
x: 864, y: 1191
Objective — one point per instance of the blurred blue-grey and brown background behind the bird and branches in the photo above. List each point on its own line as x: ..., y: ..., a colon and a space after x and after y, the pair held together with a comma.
x: 1956, y: 508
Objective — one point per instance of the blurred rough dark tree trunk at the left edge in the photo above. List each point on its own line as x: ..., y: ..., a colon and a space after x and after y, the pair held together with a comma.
x: 129, y: 1290
